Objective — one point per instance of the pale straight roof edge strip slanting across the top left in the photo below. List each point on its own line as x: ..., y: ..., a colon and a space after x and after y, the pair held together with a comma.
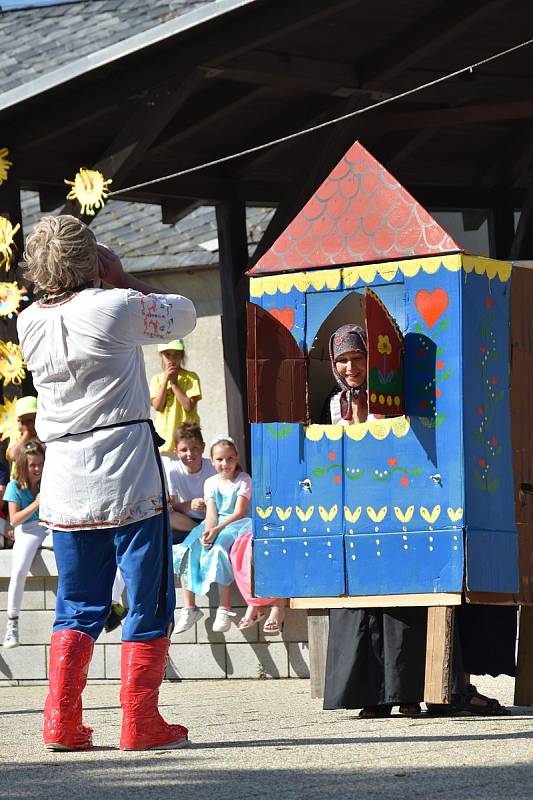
x: 116, y: 51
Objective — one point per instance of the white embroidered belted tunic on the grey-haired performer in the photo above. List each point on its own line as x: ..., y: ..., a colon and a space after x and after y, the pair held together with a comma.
x: 88, y: 370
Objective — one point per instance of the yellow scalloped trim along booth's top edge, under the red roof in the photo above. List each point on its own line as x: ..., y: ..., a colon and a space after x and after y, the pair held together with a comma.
x: 349, y: 276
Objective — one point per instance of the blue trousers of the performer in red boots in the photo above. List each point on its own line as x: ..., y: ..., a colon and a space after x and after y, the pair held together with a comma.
x: 87, y: 563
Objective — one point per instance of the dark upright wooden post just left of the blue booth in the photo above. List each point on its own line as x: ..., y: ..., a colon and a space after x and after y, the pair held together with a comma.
x: 233, y: 257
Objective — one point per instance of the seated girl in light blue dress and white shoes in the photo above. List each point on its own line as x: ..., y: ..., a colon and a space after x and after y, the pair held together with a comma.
x: 206, y: 549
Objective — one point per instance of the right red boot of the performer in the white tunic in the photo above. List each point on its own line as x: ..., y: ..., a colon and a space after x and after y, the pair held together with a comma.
x: 143, y: 727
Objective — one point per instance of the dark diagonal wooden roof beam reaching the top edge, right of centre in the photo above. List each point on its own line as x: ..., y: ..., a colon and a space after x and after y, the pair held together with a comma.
x: 427, y: 35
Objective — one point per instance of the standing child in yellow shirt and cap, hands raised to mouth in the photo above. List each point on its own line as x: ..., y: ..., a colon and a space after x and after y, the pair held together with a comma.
x: 174, y: 393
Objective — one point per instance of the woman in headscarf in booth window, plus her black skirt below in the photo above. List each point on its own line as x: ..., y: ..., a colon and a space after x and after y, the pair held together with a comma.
x: 376, y: 656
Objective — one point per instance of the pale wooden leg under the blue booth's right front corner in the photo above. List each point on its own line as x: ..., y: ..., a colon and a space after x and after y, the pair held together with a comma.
x: 439, y: 652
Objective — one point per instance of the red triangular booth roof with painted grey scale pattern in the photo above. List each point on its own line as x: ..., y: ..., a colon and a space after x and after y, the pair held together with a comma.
x: 360, y: 214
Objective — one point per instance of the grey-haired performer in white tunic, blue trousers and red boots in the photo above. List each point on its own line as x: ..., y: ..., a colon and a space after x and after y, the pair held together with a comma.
x: 101, y: 490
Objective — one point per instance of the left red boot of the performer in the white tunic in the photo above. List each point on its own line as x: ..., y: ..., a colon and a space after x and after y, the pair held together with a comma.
x: 70, y: 656
